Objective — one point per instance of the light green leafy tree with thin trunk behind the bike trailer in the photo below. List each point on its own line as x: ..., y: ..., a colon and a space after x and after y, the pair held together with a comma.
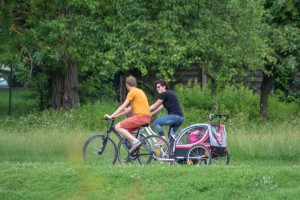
x: 223, y: 37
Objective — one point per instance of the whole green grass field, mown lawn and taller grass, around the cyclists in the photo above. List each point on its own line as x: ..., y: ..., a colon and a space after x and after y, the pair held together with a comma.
x: 41, y: 158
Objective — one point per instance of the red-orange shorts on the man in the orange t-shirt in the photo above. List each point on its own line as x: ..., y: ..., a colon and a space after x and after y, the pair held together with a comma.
x: 135, y: 122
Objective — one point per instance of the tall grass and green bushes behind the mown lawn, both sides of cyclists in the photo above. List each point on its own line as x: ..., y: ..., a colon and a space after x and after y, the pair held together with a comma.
x: 57, y: 135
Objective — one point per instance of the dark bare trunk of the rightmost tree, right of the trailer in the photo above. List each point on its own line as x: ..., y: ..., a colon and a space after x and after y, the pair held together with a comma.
x: 266, y: 87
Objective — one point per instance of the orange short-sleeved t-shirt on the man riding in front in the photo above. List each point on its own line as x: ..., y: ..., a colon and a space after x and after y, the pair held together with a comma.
x: 139, y: 102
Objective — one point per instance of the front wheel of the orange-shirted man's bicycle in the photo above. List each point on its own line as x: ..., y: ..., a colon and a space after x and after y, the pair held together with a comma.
x: 100, y: 150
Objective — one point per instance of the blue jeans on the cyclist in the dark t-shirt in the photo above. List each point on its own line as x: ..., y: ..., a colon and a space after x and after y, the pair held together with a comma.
x: 174, y: 121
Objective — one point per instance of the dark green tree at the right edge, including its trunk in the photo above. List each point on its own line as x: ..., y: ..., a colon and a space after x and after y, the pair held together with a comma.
x: 282, y: 37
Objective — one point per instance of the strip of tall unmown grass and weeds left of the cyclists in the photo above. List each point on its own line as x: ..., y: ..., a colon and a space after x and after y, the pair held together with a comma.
x: 51, y: 135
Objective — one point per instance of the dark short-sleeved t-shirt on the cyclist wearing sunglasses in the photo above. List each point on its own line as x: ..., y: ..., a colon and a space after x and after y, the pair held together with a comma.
x: 171, y: 103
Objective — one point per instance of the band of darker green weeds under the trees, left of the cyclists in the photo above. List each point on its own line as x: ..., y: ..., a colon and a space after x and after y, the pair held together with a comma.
x: 88, y: 117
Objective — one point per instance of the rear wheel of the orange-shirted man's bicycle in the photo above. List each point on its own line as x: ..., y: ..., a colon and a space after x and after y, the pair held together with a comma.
x: 149, y: 152
